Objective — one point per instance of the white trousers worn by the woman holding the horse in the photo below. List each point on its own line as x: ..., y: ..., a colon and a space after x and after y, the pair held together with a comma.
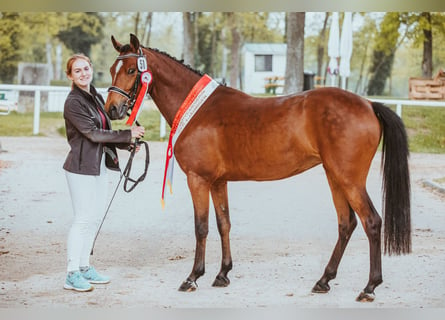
x: 88, y: 197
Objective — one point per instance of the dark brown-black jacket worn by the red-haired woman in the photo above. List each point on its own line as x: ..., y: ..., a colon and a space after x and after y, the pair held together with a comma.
x: 85, y: 135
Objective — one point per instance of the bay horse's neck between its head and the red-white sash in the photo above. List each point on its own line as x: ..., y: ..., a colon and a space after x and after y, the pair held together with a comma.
x: 171, y: 84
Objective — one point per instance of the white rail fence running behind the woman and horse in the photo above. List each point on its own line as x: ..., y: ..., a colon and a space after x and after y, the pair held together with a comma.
x: 57, y: 96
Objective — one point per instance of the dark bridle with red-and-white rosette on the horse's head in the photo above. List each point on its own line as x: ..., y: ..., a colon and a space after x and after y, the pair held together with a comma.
x: 144, y: 76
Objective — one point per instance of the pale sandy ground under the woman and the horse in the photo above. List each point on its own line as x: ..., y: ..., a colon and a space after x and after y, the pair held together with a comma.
x: 283, y: 233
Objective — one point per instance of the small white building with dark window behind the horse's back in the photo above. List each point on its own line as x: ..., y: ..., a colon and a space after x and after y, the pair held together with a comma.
x: 261, y: 61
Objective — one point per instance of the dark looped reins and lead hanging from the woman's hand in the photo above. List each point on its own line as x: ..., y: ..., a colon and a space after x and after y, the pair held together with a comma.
x: 126, y: 174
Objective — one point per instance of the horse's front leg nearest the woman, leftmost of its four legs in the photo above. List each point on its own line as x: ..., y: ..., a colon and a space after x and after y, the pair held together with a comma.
x: 199, y: 190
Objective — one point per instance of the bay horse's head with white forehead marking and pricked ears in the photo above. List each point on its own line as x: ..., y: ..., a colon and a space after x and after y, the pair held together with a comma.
x: 125, y: 77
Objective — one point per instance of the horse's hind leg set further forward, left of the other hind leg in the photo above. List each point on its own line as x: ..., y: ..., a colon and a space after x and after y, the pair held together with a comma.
x: 346, y: 225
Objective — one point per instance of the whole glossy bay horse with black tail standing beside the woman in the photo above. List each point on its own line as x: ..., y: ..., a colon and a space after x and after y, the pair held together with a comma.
x: 238, y: 137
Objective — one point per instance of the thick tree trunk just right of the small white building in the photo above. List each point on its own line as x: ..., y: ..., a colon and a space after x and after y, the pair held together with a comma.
x: 294, y: 75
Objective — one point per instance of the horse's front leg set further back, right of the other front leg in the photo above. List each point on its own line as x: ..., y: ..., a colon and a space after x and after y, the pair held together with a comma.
x: 221, y: 203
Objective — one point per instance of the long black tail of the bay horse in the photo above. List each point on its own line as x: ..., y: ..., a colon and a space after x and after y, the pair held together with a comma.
x: 396, y: 182
